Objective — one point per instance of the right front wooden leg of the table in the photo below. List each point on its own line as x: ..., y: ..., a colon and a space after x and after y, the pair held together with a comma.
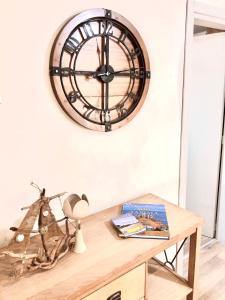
x: 193, y: 264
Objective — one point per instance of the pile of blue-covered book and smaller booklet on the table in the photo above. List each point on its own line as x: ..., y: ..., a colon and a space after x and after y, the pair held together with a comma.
x: 147, y: 221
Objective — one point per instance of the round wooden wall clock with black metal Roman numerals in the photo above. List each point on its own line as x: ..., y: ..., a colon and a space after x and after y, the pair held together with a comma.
x: 99, y: 69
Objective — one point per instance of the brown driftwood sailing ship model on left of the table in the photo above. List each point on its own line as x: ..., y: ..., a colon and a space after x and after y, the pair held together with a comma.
x: 38, y: 249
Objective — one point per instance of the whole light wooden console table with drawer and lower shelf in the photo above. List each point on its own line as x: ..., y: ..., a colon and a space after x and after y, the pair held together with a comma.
x: 112, y: 264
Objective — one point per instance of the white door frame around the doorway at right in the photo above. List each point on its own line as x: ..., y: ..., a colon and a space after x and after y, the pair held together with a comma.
x: 208, y: 16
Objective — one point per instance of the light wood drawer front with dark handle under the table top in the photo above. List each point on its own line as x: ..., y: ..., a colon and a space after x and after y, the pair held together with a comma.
x: 130, y: 286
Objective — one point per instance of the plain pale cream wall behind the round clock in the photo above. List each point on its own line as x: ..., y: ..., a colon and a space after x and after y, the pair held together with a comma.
x: 40, y: 143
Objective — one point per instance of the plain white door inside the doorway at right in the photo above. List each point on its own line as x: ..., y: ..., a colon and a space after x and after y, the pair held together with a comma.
x: 205, y: 119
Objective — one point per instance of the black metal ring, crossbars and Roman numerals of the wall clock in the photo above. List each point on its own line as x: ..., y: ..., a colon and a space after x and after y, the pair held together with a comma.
x: 105, y: 73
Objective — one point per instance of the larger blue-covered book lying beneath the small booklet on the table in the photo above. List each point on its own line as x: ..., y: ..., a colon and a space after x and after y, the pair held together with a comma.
x: 153, y: 216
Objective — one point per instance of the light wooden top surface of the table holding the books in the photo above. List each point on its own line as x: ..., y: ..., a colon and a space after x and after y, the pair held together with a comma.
x: 107, y: 257
